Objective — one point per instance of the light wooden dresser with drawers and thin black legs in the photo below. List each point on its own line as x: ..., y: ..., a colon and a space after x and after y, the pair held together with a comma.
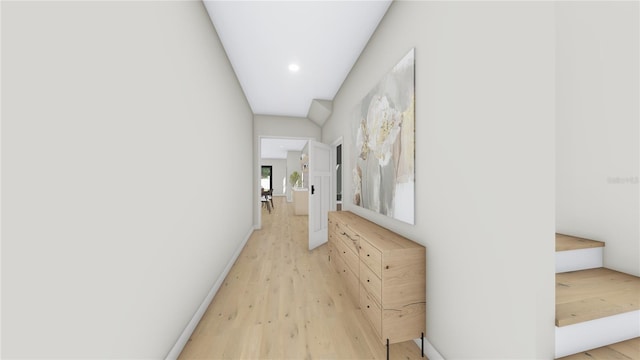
x: 384, y: 273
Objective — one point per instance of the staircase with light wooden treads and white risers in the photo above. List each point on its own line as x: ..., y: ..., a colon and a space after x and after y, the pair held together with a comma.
x: 595, y: 306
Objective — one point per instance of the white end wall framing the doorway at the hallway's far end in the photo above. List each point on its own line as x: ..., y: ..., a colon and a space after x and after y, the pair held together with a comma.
x: 277, y: 127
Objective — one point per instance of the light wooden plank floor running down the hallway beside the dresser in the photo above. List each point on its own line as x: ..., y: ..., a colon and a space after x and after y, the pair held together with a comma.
x: 281, y: 301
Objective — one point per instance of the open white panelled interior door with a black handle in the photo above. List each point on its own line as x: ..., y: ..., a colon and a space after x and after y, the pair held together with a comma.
x: 320, y: 182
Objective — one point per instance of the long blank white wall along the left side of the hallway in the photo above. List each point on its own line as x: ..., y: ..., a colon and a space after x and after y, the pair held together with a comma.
x: 115, y: 221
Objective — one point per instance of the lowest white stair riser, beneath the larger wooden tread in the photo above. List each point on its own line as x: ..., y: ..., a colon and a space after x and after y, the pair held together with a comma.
x: 592, y: 334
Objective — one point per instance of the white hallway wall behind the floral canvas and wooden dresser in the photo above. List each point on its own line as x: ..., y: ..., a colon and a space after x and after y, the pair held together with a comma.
x: 484, y: 167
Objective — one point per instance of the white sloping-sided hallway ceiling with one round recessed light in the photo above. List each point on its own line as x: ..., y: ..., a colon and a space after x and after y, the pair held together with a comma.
x: 324, y: 38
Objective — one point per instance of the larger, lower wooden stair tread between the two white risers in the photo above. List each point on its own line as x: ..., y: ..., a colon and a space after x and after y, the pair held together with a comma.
x: 593, y: 294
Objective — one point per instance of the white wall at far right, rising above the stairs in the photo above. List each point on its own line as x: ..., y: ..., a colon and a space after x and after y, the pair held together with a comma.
x: 597, y: 127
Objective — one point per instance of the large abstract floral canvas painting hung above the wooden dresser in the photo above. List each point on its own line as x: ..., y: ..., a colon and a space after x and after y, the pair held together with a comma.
x: 384, y: 139
